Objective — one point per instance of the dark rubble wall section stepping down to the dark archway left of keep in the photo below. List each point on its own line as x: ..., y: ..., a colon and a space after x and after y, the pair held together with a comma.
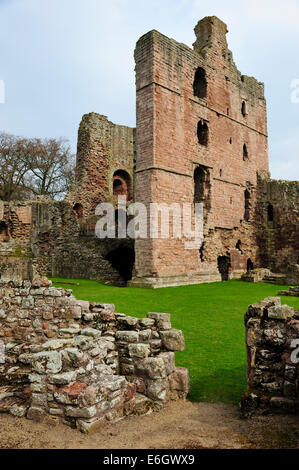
x: 65, y: 246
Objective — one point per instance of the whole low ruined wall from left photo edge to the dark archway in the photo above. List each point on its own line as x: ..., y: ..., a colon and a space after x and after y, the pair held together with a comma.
x: 46, y: 237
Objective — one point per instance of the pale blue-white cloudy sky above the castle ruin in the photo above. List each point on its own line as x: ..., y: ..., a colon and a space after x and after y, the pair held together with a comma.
x: 61, y: 59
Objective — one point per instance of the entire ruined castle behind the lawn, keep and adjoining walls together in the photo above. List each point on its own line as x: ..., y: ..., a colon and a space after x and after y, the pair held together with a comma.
x: 200, y: 137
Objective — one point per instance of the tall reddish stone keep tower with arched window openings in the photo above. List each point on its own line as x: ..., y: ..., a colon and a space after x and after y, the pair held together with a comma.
x: 201, y: 137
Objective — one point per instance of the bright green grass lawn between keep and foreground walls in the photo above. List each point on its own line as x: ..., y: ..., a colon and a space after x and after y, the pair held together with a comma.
x: 211, y: 317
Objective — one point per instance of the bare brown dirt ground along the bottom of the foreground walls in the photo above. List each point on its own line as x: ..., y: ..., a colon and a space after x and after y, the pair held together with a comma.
x: 179, y: 425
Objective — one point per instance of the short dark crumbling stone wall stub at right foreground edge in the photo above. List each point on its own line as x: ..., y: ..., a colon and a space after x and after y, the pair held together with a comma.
x: 272, y: 360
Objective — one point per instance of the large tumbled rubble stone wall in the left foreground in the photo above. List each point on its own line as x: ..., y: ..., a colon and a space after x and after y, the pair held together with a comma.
x: 80, y: 363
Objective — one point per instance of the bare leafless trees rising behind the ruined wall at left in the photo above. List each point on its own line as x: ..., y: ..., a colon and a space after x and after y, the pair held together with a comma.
x: 31, y: 167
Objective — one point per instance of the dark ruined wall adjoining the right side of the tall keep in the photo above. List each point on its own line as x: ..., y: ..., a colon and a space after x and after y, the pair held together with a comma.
x: 277, y: 217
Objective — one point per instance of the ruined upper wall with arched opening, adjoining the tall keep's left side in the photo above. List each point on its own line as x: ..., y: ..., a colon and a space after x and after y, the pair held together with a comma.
x: 103, y: 149
